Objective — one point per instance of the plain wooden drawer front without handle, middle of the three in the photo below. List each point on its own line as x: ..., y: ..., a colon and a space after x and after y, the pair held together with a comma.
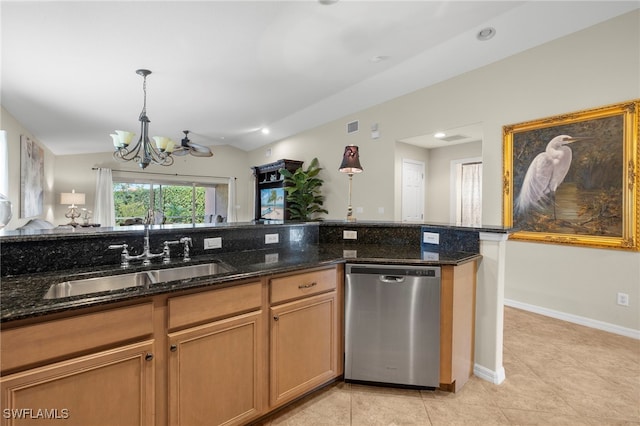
x: 199, y: 307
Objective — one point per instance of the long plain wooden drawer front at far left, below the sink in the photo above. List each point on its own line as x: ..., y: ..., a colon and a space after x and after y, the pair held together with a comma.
x: 31, y: 344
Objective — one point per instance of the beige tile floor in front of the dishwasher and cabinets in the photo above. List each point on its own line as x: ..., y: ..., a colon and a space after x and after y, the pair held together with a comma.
x: 557, y: 373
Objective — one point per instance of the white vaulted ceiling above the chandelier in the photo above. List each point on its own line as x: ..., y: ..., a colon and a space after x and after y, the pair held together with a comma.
x: 225, y: 69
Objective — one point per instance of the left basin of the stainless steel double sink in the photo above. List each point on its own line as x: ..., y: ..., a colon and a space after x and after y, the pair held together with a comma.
x: 99, y: 284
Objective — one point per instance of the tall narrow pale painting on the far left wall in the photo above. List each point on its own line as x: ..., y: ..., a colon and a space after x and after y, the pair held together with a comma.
x: 31, y: 178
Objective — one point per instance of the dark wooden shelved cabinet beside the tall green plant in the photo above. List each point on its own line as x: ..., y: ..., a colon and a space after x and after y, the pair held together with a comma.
x: 270, y: 197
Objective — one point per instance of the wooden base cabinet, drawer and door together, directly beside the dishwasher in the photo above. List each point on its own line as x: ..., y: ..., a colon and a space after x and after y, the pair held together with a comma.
x: 306, y: 333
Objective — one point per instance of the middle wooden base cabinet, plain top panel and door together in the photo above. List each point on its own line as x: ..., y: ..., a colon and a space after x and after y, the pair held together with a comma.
x: 216, y: 369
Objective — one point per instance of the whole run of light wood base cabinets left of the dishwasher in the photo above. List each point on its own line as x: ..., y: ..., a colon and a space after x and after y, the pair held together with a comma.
x: 222, y: 356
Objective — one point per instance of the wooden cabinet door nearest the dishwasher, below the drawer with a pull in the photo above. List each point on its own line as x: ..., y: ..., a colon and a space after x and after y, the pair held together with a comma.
x: 304, y: 346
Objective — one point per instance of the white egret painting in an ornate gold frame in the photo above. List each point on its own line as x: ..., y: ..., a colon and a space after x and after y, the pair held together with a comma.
x: 573, y: 178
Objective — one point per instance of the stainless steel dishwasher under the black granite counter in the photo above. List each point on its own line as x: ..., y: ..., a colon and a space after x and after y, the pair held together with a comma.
x: 392, y: 325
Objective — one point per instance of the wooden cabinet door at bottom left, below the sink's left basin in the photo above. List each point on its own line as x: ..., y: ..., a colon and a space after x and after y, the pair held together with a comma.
x: 114, y: 387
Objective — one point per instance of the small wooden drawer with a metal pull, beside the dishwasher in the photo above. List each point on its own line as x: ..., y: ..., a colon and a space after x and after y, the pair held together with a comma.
x: 300, y: 285
